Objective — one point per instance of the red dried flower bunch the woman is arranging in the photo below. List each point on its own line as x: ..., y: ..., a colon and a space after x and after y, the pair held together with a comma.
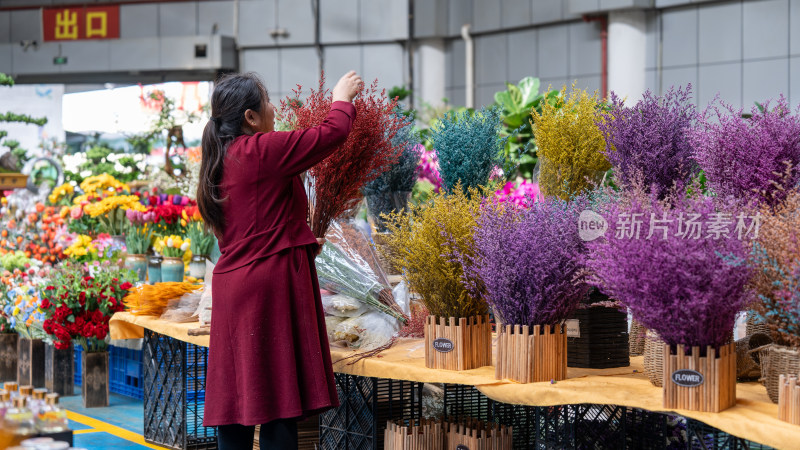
x: 367, y: 152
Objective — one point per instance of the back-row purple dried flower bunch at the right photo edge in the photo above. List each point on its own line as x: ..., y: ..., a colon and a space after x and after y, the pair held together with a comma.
x: 756, y: 158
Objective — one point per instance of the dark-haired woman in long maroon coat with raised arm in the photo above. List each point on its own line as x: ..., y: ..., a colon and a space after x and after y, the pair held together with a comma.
x: 269, y: 361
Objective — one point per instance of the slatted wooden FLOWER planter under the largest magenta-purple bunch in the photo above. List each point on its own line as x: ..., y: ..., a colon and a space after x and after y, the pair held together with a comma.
x: 698, y: 383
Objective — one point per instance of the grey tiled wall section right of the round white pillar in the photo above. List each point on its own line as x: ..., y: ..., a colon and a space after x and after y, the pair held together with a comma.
x: 745, y: 51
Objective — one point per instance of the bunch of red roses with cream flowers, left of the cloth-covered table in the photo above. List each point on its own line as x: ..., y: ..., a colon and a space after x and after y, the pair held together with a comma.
x: 78, y: 305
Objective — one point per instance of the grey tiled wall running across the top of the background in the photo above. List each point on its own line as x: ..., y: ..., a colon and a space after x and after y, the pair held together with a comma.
x: 745, y: 50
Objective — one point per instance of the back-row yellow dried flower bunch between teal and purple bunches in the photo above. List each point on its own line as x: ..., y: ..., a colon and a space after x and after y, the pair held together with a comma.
x: 570, y: 144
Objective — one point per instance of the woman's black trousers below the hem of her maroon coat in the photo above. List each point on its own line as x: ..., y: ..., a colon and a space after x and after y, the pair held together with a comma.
x: 276, y: 435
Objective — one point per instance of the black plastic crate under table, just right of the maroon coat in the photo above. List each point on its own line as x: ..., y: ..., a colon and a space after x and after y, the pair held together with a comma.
x: 366, y: 404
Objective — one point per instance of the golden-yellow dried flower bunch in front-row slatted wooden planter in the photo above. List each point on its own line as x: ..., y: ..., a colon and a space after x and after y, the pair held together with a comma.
x: 424, y: 242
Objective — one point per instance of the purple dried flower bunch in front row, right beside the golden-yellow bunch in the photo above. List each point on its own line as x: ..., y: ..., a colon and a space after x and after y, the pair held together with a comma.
x: 528, y: 260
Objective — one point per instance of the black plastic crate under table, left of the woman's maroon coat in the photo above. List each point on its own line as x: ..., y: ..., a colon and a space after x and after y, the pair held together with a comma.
x: 174, y: 393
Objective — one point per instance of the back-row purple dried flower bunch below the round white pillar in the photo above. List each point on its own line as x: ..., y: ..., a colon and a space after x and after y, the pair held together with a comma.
x: 646, y: 143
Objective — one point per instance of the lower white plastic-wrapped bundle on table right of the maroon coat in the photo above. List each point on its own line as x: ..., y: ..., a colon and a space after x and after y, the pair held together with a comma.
x: 366, y: 332
